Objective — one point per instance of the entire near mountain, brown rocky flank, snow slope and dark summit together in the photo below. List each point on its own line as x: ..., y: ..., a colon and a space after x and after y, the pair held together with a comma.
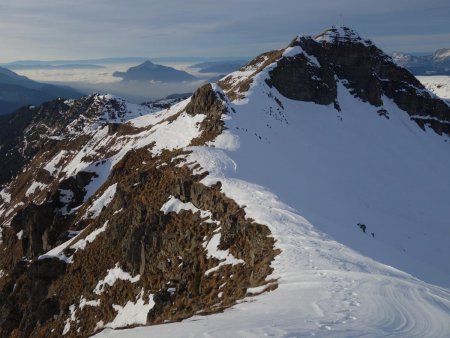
x: 305, y: 194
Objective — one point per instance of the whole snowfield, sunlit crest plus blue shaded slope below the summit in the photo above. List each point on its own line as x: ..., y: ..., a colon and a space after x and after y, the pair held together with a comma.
x: 312, y: 174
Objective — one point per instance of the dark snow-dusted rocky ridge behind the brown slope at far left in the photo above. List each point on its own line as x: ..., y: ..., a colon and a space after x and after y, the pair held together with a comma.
x: 30, y: 127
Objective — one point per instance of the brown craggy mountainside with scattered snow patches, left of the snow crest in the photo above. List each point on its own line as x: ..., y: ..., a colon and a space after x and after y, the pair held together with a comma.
x: 172, y: 264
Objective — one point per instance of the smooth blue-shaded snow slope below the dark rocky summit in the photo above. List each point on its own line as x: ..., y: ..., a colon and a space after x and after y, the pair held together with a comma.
x: 341, y: 169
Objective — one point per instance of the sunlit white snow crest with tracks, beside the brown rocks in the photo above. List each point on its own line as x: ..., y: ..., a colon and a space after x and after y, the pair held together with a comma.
x: 325, y: 289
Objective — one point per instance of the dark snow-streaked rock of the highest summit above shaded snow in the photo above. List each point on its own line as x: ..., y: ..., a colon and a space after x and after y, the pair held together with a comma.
x: 310, y: 67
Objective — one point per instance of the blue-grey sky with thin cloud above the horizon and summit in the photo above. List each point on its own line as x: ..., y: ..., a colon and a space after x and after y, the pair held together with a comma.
x: 75, y: 29
